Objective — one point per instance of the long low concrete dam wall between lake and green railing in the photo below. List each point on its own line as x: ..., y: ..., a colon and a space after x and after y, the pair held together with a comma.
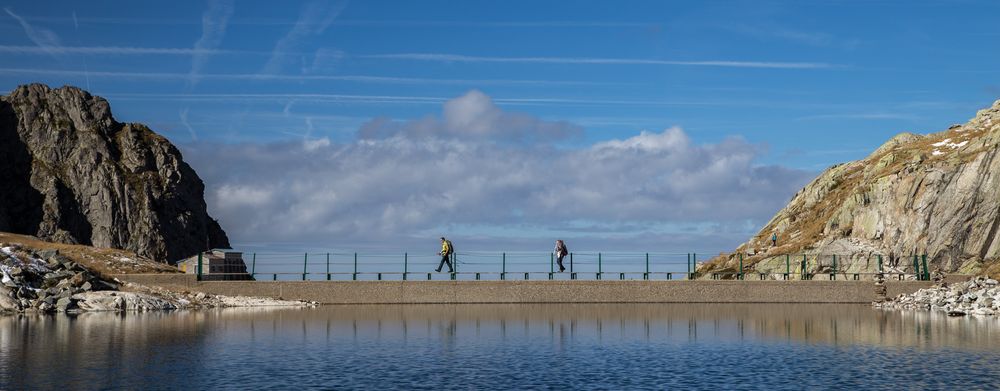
x: 538, y: 291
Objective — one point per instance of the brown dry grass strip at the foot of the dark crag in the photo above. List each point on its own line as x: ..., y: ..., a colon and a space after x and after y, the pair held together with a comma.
x: 102, y: 261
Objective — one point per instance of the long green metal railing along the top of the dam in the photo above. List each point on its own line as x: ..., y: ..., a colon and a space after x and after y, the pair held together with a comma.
x: 479, y: 265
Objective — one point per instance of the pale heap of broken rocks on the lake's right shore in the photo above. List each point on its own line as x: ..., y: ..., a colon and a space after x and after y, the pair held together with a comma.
x: 978, y: 296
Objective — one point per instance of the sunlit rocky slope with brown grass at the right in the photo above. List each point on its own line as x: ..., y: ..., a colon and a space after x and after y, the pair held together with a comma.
x: 937, y: 194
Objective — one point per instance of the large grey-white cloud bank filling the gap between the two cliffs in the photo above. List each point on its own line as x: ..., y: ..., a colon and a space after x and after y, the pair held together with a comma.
x: 429, y: 177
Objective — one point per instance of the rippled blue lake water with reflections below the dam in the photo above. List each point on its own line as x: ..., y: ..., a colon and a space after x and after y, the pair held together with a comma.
x: 502, y: 346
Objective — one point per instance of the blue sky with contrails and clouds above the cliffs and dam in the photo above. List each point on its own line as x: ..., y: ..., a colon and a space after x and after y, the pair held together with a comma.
x: 640, y: 125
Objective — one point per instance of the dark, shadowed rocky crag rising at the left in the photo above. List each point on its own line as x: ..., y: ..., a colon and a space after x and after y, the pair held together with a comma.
x: 71, y: 173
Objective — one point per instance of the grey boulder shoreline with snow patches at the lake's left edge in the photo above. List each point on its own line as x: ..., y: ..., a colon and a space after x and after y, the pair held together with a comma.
x: 45, y: 281
